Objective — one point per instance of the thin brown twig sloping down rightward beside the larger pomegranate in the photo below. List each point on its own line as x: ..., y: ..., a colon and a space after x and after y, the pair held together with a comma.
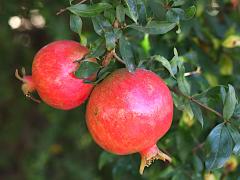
x: 198, y: 103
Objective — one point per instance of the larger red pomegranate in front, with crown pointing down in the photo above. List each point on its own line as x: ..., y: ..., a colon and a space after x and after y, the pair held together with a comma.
x: 129, y: 112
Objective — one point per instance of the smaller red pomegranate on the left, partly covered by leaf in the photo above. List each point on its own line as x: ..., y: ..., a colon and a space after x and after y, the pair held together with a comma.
x: 53, y: 75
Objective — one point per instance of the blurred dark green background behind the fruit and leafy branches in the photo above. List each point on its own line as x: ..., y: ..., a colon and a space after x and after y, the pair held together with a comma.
x: 38, y: 142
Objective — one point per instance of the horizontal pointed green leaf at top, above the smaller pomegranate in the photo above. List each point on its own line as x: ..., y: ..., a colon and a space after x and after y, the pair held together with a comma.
x: 86, y: 10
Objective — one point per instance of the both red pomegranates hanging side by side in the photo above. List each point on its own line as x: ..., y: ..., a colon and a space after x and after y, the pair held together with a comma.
x: 126, y: 113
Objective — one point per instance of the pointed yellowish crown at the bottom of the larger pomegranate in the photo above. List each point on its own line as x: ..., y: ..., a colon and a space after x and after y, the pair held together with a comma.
x: 149, y: 155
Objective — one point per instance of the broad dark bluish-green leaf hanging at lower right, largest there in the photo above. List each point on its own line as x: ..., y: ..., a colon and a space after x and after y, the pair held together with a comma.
x: 220, y: 145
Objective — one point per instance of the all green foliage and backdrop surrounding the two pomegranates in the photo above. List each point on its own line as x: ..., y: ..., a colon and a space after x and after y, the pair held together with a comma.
x: 193, y: 45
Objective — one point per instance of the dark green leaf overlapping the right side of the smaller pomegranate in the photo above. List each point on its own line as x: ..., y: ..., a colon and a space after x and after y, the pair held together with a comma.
x: 86, y: 69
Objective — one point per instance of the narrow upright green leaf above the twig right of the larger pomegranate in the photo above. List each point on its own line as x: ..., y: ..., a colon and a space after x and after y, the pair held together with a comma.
x: 182, y: 82
